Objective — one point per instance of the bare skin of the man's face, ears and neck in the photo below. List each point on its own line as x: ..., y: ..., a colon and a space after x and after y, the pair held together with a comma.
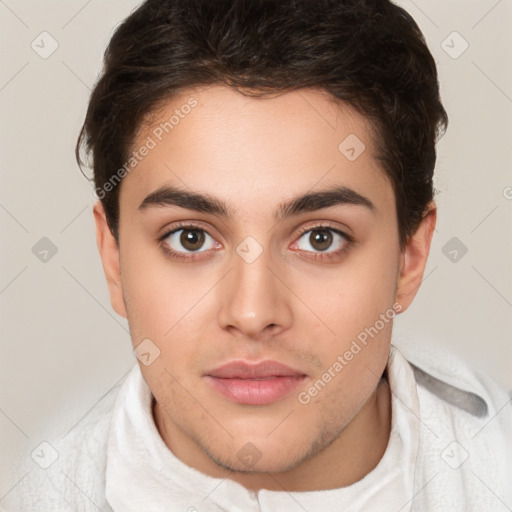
x: 287, y: 306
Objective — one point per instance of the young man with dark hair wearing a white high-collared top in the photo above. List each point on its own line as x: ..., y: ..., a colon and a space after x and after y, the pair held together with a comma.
x: 264, y: 175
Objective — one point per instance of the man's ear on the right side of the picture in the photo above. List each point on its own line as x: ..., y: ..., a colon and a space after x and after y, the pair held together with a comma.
x: 414, y: 259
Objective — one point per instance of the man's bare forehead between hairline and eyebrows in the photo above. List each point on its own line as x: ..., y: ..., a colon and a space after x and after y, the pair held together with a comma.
x: 254, y: 150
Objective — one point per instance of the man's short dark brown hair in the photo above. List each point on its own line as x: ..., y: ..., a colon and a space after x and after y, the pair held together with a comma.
x: 369, y: 53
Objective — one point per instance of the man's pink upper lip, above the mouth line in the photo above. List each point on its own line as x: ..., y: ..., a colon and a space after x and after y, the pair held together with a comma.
x: 245, y: 370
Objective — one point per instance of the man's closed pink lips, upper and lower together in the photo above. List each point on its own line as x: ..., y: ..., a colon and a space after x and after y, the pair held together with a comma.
x: 254, y: 384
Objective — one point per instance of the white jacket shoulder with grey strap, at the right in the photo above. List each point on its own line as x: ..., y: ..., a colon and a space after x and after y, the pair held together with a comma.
x: 465, y: 453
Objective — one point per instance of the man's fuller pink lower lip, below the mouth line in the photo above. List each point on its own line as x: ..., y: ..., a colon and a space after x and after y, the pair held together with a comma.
x: 255, y: 392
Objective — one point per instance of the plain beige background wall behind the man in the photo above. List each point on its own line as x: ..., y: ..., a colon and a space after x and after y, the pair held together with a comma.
x: 63, y: 348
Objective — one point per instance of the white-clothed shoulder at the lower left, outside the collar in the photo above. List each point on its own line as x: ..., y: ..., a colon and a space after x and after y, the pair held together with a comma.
x: 66, y: 473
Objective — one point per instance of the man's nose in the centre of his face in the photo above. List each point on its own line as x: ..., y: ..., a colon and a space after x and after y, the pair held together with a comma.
x: 255, y: 300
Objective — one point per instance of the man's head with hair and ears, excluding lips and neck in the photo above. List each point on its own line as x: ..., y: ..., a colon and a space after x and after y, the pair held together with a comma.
x: 264, y: 173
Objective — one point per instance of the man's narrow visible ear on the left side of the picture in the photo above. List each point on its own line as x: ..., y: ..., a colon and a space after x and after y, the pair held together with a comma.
x: 109, y: 253
